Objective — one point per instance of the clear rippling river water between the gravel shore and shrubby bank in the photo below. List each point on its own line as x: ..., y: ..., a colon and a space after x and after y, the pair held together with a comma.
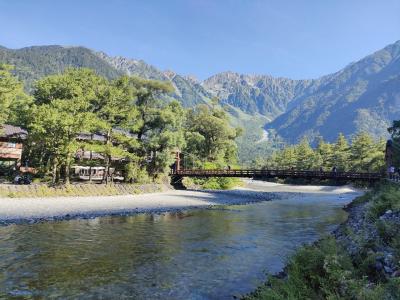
x: 198, y: 254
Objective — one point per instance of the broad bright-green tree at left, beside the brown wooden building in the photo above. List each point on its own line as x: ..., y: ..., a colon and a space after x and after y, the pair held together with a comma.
x: 61, y: 112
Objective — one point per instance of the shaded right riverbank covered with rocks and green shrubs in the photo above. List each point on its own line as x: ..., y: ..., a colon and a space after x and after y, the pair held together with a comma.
x: 360, y: 260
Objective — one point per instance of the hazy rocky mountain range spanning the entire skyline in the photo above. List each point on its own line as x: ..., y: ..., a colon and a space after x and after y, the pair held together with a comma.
x: 363, y: 96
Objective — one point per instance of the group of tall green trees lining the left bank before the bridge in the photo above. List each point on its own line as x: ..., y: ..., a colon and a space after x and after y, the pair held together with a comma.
x: 140, y: 133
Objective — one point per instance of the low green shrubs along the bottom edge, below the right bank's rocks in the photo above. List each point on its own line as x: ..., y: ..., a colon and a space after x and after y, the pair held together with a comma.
x: 325, y: 271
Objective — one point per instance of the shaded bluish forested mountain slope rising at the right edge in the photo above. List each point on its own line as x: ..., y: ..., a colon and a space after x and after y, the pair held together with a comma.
x: 364, y: 96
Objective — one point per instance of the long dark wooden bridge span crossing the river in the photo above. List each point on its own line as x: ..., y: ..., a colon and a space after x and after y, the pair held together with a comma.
x: 255, y: 173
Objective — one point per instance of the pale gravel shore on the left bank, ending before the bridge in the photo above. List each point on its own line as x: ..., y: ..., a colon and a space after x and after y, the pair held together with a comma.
x: 68, y: 208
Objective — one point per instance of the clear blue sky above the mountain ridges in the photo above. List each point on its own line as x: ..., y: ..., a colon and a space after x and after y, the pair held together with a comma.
x: 296, y: 39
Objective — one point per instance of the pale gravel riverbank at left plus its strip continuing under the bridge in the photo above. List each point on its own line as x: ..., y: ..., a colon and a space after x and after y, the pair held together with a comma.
x: 28, y: 209
